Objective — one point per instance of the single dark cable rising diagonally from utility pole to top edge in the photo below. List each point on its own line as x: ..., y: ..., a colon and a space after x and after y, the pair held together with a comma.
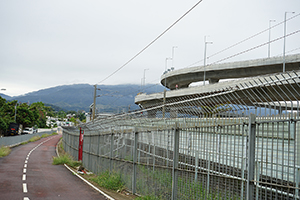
x: 153, y: 41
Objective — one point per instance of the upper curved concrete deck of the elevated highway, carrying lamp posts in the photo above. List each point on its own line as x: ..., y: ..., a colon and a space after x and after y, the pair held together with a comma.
x: 213, y: 73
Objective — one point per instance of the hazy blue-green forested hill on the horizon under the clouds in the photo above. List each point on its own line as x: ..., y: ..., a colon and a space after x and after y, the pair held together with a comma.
x: 112, y: 98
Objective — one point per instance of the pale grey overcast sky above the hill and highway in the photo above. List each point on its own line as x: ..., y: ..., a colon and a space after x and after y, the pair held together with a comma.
x: 49, y: 43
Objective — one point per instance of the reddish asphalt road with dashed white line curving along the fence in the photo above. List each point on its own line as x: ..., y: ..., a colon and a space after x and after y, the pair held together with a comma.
x: 28, y: 173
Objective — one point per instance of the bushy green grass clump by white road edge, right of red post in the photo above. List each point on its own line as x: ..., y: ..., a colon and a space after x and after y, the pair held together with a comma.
x: 110, y: 181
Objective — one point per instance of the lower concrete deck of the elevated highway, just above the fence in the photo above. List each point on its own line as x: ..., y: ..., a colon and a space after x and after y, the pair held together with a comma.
x: 278, y: 87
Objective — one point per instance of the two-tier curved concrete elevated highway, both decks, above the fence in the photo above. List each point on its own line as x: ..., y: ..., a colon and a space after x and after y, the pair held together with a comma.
x: 259, y: 83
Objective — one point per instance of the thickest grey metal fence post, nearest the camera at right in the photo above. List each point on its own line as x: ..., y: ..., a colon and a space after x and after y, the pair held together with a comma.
x: 251, y: 157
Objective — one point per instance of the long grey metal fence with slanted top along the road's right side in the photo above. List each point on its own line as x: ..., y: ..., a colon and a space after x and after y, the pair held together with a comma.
x: 240, y: 141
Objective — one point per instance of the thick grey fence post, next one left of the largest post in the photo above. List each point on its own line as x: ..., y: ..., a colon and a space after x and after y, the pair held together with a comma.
x: 175, y: 162
